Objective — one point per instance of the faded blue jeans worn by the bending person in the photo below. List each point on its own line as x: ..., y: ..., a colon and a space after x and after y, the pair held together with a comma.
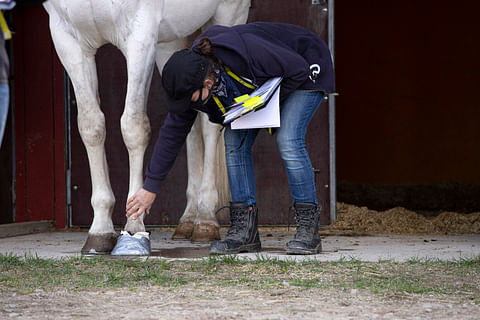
x: 295, y: 115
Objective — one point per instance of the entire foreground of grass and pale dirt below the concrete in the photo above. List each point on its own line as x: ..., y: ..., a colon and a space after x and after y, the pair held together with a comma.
x: 230, y: 289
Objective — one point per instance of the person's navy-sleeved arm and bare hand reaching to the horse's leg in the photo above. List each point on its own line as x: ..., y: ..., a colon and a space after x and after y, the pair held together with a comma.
x: 170, y: 140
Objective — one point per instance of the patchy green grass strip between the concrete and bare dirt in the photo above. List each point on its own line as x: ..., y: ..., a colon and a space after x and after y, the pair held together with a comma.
x: 415, y: 276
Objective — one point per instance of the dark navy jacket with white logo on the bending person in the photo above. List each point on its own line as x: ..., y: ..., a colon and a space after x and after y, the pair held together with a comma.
x: 257, y: 51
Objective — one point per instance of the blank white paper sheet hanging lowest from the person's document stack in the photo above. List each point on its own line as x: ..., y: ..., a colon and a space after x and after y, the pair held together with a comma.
x: 267, y: 117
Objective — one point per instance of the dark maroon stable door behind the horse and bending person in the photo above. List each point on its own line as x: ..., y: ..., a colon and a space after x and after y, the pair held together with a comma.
x: 273, y: 195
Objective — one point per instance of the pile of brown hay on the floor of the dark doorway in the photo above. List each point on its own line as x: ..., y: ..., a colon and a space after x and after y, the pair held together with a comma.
x: 403, y: 221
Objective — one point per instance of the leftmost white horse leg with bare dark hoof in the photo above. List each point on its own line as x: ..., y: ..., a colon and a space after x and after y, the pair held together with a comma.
x: 80, y: 65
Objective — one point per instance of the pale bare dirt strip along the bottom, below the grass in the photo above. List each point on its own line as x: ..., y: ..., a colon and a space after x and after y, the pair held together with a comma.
x: 213, y: 302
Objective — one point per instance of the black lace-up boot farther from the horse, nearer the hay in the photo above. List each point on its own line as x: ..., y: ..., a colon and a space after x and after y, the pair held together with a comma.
x: 307, y: 240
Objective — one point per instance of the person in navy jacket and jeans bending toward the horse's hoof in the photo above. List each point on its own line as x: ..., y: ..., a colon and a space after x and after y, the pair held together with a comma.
x: 227, y: 62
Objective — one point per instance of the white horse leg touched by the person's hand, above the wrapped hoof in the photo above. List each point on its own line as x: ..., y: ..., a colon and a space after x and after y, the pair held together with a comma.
x: 140, y: 56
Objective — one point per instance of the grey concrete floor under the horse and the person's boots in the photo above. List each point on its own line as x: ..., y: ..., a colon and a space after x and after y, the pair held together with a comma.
x: 335, y: 247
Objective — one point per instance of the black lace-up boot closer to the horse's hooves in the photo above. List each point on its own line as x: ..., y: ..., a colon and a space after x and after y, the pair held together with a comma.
x: 243, y: 233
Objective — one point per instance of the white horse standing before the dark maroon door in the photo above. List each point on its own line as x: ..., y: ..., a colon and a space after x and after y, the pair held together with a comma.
x: 145, y: 31
